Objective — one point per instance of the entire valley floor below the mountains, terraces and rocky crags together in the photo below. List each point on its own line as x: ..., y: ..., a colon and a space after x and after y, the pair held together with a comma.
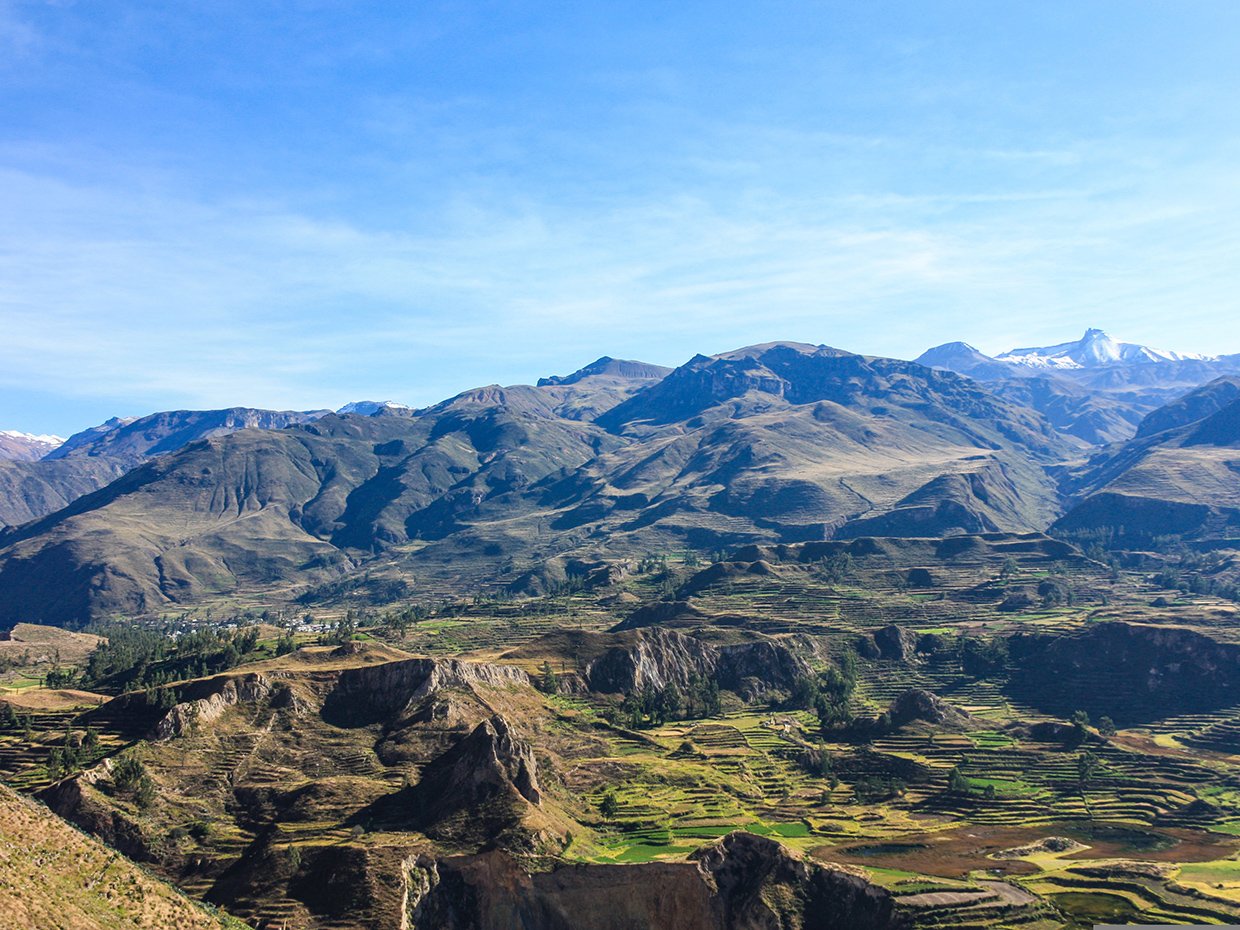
x: 870, y: 733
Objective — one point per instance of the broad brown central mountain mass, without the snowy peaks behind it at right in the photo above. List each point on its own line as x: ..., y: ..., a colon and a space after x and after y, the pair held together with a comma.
x: 772, y: 443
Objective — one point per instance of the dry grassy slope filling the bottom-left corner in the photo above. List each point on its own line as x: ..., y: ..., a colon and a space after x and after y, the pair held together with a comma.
x: 58, y: 879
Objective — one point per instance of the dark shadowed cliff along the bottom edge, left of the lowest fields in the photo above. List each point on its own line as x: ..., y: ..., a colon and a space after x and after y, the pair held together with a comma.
x: 743, y: 882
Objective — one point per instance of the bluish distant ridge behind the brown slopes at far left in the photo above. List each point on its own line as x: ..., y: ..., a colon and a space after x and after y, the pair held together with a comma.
x: 135, y: 441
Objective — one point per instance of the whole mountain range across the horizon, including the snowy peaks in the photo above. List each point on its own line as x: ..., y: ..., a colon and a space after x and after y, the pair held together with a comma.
x: 507, y: 485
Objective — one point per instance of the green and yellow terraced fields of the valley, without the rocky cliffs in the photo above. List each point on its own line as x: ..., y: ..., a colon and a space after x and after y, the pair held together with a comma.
x: 1016, y: 818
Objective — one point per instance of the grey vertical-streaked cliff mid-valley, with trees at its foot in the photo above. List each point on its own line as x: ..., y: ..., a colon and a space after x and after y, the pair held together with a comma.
x: 658, y: 658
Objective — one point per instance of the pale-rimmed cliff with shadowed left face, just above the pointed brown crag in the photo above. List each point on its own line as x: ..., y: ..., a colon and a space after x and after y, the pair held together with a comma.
x: 395, y: 690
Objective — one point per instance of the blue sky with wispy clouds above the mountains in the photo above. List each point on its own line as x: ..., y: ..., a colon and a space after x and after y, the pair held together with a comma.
x: 296, y: 205
